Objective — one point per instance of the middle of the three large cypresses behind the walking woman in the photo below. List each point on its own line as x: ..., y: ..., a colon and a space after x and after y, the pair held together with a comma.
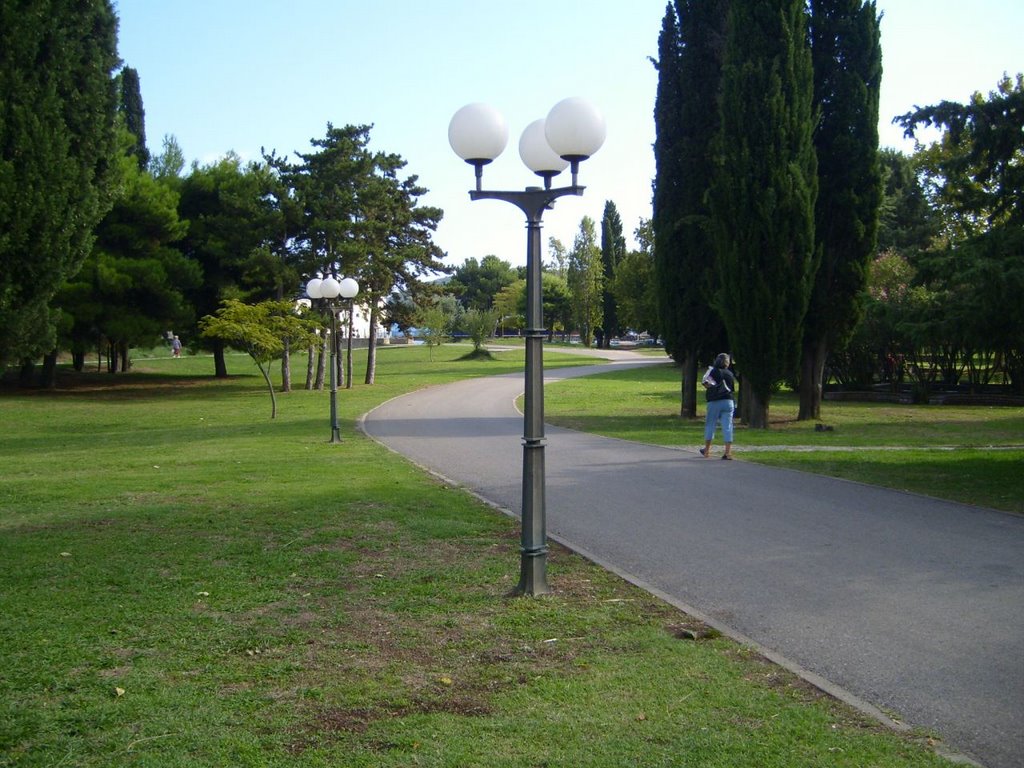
x: 763, y: 193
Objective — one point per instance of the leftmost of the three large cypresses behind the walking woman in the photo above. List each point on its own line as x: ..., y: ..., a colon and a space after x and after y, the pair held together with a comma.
x: 687, y: 116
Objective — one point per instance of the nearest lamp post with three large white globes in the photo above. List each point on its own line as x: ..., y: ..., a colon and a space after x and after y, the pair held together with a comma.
x: 573, y: 132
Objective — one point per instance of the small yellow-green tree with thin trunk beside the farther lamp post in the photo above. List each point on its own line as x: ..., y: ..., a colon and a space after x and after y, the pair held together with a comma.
x: 262, y: 330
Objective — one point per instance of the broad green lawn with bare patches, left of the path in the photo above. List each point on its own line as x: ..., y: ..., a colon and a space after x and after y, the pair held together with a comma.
x: 187, y: 583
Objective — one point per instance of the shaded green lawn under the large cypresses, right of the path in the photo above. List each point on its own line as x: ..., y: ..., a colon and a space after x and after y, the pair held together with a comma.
x: 969, y: 454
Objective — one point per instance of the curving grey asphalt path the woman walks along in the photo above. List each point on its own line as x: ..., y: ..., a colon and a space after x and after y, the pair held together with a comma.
x: 911, y: 605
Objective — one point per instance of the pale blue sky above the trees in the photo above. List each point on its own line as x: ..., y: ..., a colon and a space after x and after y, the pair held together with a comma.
x: 238, y: 75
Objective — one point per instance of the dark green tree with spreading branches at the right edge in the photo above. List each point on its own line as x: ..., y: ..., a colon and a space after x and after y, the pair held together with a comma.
x: 974, y: 177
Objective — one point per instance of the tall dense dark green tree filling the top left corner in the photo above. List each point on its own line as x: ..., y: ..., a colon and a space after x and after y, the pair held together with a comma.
x: 58, y: 148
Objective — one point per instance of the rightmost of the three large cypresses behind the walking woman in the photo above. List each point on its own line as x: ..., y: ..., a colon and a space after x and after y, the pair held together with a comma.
x: 847, y: 57
